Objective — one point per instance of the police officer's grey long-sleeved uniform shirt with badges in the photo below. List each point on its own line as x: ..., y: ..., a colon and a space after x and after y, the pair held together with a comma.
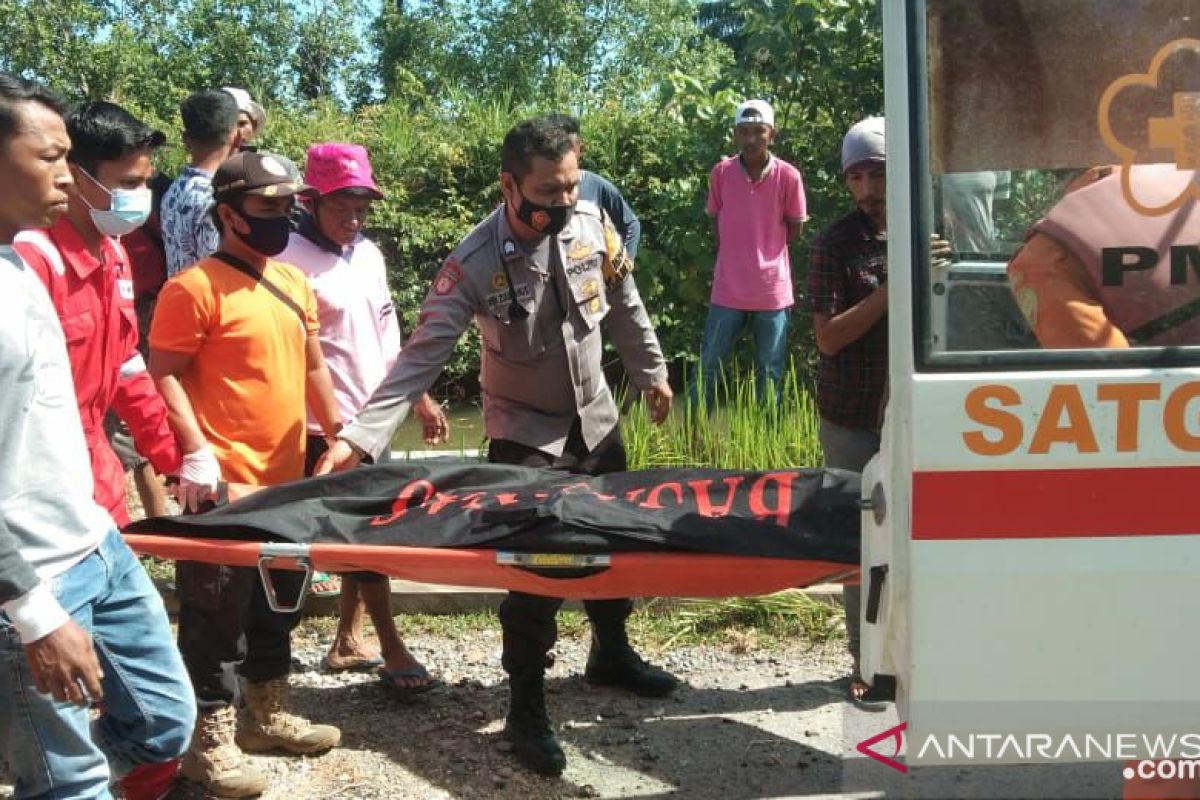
x: 542, y: 369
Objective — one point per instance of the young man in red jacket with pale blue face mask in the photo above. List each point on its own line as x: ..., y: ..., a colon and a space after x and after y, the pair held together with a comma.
x: 87, y: 273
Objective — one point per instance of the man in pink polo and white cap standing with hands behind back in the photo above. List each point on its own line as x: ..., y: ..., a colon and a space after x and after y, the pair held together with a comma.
x: 759, y: 207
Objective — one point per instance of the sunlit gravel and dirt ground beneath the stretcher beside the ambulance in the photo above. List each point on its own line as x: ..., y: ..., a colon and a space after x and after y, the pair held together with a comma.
x: 745, y: 726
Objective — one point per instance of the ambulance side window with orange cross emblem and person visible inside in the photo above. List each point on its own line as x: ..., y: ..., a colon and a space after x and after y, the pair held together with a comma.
x: 1063, y: 146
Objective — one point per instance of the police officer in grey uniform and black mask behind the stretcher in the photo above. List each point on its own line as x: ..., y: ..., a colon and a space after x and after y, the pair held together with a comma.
x: 538, y: 276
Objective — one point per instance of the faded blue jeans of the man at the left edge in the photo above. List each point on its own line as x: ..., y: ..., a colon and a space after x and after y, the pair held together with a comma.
x: 55, y: 750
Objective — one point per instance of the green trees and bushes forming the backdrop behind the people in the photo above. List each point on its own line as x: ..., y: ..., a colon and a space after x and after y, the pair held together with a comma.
x: 431, y: 87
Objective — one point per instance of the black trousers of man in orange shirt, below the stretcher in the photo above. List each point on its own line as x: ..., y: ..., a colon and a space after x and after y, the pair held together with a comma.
x: 227, y: 629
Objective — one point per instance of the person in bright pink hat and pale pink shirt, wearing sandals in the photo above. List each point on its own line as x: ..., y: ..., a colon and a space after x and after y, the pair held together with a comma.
x: 361, y: 340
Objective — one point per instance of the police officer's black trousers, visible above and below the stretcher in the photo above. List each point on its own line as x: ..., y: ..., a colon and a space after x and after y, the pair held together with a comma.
x: 529, y: 621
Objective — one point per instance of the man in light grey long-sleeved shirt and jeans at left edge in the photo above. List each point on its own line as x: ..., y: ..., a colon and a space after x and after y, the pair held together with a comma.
x: 81, y: 621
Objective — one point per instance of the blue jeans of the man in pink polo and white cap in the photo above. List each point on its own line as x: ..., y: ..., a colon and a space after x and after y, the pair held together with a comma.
x: 722, y: 330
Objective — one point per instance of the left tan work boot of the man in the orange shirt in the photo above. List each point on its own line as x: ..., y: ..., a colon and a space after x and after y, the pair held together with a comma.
x: 217, y: 763
